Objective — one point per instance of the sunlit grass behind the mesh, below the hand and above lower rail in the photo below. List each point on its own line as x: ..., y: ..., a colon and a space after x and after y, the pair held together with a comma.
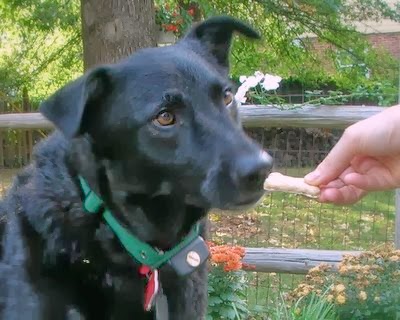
x: 286, y: 220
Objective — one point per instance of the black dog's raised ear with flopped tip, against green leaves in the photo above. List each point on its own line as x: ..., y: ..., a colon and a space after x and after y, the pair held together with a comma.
x: 215, y: 36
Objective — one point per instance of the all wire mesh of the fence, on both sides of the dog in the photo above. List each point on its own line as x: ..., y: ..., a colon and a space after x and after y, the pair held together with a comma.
x: 281, y: 220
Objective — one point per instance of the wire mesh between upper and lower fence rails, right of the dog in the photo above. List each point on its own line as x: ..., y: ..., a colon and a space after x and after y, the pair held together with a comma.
x: 291, y: 221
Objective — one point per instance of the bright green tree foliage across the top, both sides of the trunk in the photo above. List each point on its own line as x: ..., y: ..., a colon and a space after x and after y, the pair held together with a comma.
x: 41, y: 43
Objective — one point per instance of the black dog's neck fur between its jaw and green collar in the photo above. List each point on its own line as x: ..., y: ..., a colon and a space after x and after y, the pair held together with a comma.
x: 164, y: 209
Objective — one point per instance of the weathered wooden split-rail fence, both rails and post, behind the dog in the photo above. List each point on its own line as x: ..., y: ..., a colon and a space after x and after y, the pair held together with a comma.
x: 294, y: 261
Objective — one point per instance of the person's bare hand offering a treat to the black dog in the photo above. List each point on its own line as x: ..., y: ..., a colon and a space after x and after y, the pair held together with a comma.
x: 366, y: 158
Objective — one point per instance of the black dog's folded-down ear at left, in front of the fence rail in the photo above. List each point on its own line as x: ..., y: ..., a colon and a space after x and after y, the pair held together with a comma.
x: 75, y: 107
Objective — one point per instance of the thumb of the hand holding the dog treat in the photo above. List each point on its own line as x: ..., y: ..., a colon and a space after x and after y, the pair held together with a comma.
x: 335, y: 163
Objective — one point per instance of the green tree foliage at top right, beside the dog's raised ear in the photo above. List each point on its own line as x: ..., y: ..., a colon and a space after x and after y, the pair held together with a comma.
x: 286, y: 51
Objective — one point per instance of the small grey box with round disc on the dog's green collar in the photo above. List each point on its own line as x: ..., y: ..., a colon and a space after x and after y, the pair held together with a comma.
x: 190, y: 257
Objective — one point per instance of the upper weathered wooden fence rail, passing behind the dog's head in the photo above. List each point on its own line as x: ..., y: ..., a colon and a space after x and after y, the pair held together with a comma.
x: 252, y: 116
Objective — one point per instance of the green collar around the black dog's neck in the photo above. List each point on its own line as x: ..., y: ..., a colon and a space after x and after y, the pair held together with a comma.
x: 140, y: 251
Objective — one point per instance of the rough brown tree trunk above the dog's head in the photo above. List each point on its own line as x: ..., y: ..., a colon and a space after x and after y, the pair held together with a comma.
x: 113, y: 29
